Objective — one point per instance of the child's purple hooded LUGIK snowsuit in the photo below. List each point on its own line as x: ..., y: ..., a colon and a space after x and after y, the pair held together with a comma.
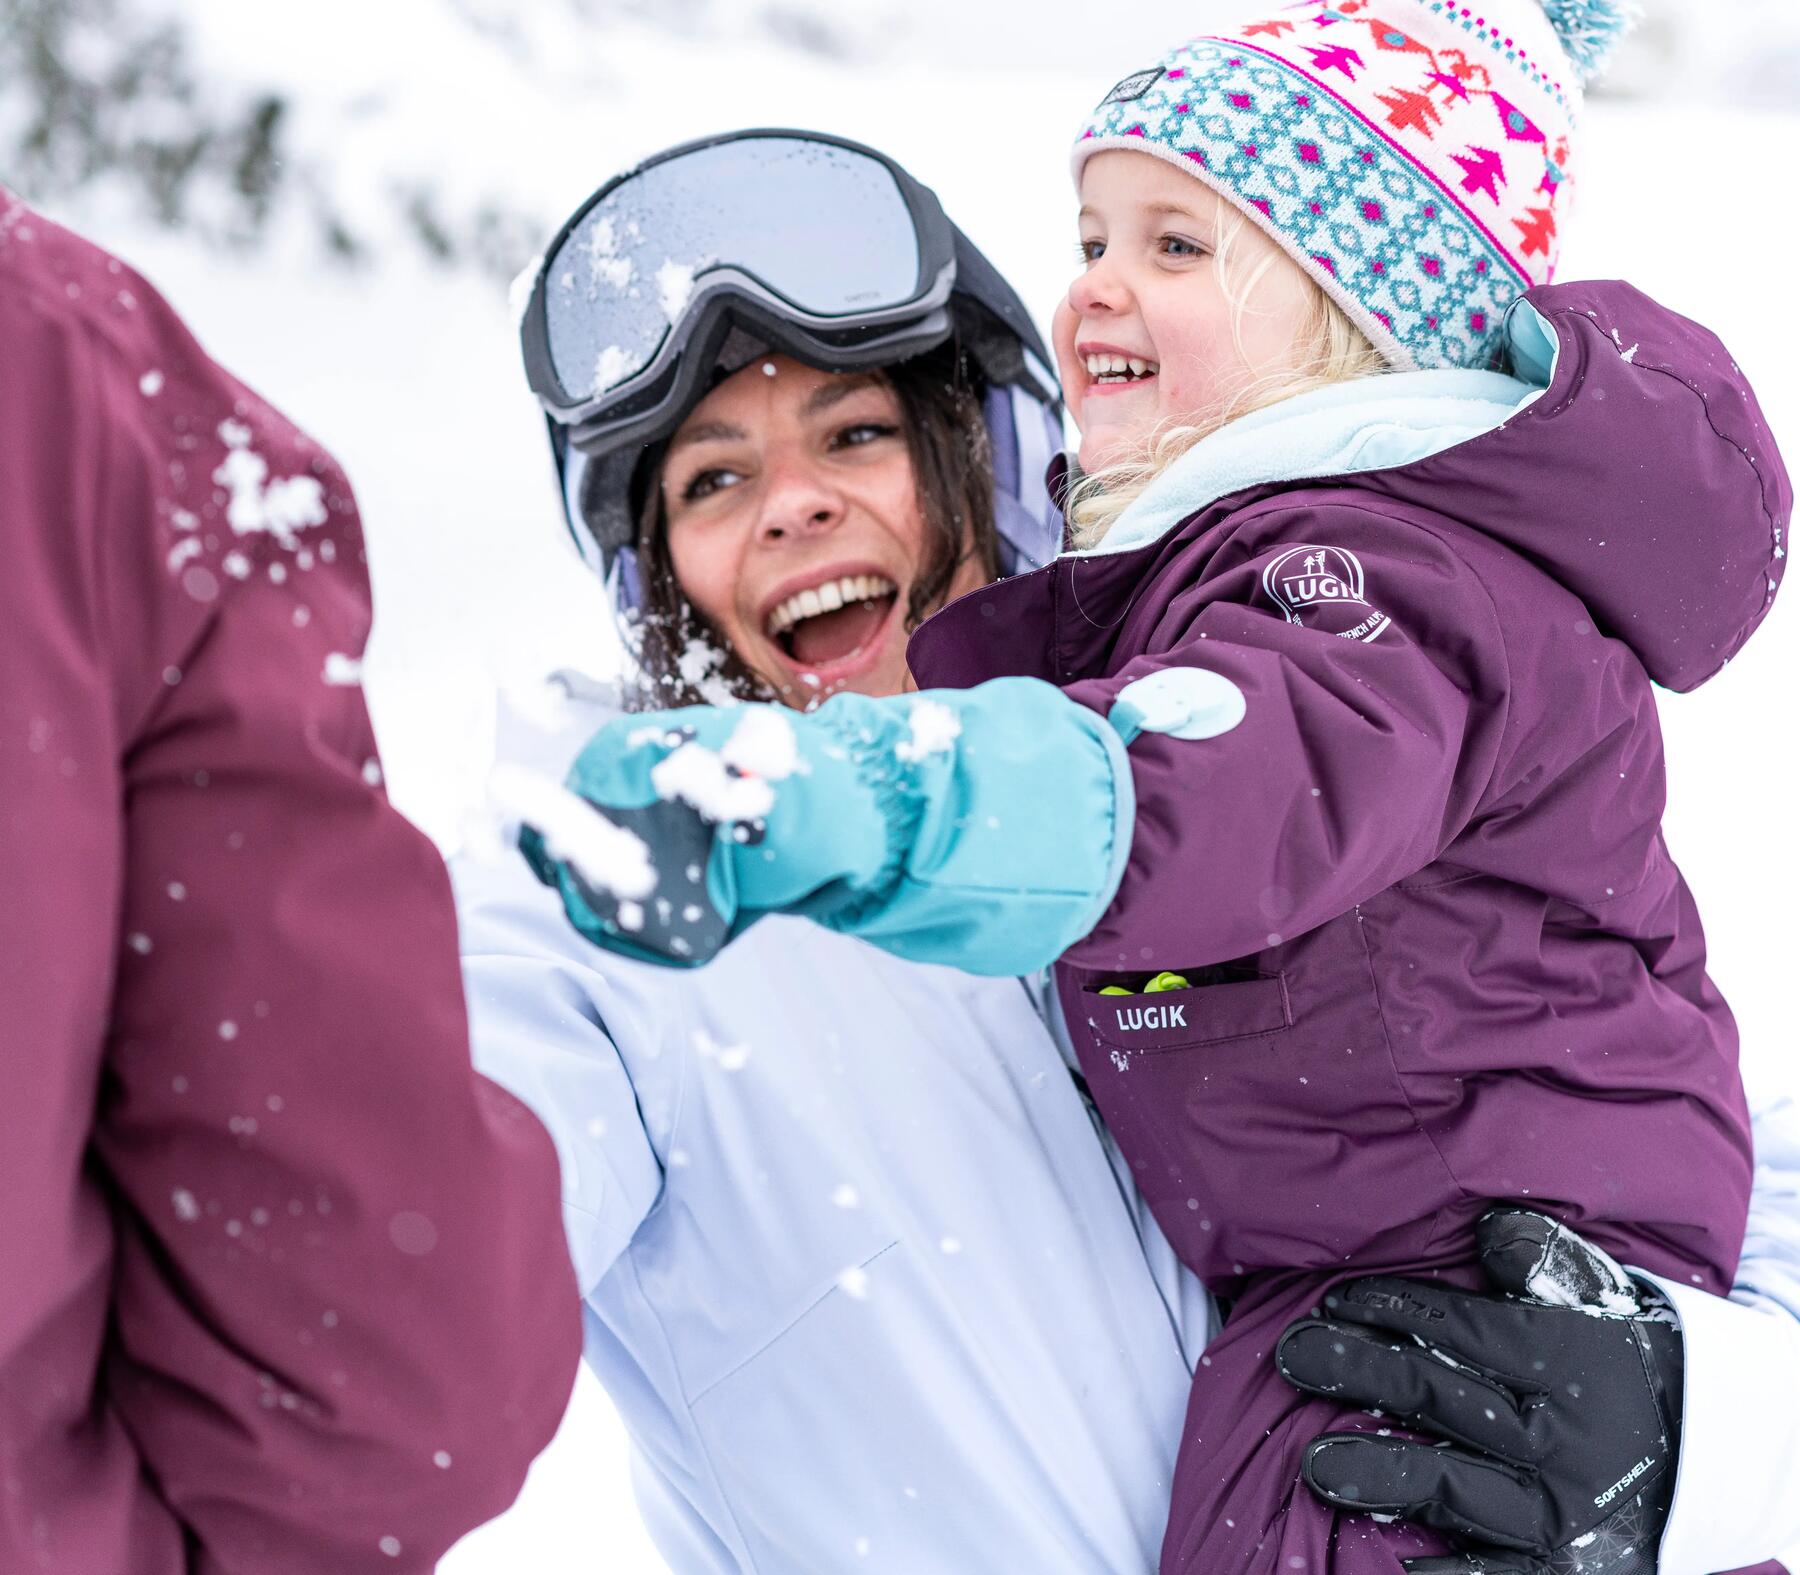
x: 1439, y: 949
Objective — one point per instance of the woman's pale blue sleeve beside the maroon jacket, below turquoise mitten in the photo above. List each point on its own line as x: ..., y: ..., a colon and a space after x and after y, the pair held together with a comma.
x: 539, y: 1023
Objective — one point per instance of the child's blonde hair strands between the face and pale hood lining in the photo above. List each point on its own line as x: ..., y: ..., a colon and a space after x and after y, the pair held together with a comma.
x: 1327, y: 350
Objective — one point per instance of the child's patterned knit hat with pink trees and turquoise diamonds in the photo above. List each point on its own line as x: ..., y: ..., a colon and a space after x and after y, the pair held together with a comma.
x: 1412, y: 156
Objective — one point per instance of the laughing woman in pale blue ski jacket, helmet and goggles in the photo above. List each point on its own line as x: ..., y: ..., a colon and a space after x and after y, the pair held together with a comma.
x: 861, y: 1270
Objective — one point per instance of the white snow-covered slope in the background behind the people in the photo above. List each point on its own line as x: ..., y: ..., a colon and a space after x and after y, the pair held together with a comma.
x: 411, y: 377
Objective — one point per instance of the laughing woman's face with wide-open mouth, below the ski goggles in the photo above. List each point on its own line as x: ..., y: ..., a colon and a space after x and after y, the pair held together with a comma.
x: 795, y: 526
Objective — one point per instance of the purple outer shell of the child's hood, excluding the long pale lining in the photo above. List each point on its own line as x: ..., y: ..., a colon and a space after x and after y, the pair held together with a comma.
x: 1644, y: 478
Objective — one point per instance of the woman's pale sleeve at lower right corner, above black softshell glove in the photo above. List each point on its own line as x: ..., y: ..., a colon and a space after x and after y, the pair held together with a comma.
x: 1738, y: 1495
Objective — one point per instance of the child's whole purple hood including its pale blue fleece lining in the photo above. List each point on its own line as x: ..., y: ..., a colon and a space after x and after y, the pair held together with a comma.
x: 1624, y: 456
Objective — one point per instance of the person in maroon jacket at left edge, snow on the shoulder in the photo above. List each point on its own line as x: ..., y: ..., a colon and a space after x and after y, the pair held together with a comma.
x: 283, y: 1284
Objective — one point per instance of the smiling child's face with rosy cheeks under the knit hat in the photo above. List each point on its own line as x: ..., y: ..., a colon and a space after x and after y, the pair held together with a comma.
x: 1149, y: 291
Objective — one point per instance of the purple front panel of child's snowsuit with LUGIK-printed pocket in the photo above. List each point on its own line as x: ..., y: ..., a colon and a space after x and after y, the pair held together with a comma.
x: 1263, y: 1113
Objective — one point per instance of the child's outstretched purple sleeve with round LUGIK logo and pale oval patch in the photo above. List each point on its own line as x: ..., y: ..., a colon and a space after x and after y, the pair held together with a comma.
x: 1318, y: 719
